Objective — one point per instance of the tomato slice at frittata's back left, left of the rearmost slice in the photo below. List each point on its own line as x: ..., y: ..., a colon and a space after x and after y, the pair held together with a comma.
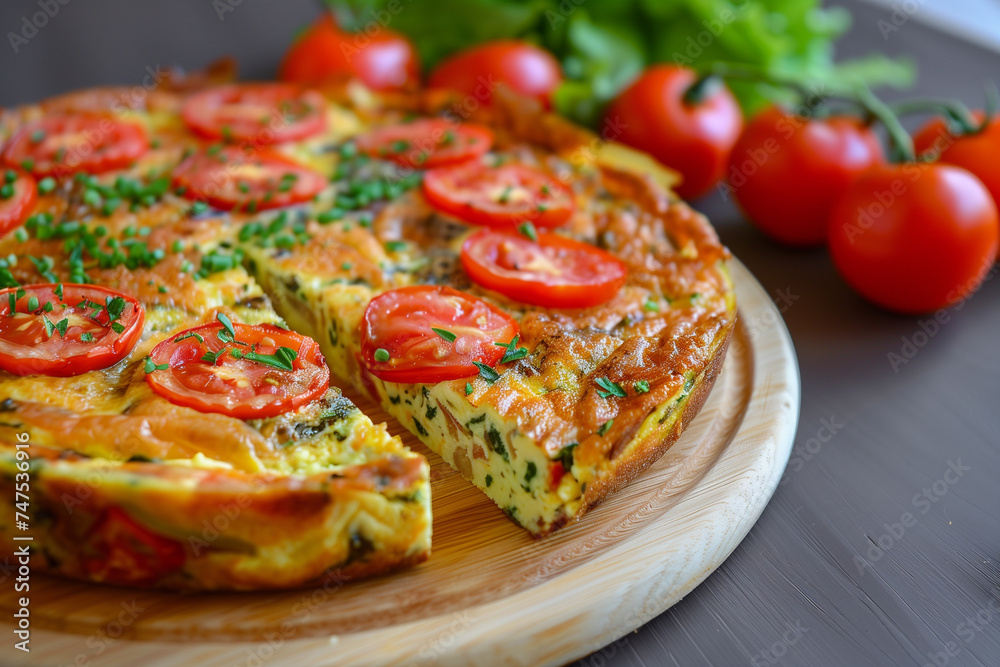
x: 61, y: 144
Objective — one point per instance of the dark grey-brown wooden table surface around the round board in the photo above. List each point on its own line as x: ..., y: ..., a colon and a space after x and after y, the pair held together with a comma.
x: 880, y: 546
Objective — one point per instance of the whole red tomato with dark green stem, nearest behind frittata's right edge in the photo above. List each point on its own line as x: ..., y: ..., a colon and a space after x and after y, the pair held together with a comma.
x: 693, y: 138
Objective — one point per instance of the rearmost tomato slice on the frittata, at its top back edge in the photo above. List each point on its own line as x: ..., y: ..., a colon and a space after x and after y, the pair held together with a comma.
x: 261, y: 113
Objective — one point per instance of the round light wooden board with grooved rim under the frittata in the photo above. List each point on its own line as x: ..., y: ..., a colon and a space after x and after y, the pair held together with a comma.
x: 490, y: 594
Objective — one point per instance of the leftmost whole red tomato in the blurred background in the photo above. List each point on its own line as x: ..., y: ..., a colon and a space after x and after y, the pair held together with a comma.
x: 384, y: 61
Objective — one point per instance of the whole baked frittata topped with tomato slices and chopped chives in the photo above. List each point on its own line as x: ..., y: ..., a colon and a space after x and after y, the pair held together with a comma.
x: 183, y: 275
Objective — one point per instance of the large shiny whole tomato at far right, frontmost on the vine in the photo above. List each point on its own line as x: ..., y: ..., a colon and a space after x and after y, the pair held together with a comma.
x: 916, y: 237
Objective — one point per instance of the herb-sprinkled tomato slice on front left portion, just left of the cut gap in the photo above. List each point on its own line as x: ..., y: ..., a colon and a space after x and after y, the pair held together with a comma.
x: 263, y: 371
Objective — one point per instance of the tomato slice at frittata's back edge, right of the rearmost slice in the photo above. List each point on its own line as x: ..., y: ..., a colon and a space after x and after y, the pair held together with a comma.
x: 427, y: 143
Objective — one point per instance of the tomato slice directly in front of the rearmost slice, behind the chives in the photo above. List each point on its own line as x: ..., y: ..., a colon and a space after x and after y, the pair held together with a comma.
x: 232, y: 179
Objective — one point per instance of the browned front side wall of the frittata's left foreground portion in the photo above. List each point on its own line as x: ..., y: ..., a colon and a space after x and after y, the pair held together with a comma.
x: 221, y: 523
